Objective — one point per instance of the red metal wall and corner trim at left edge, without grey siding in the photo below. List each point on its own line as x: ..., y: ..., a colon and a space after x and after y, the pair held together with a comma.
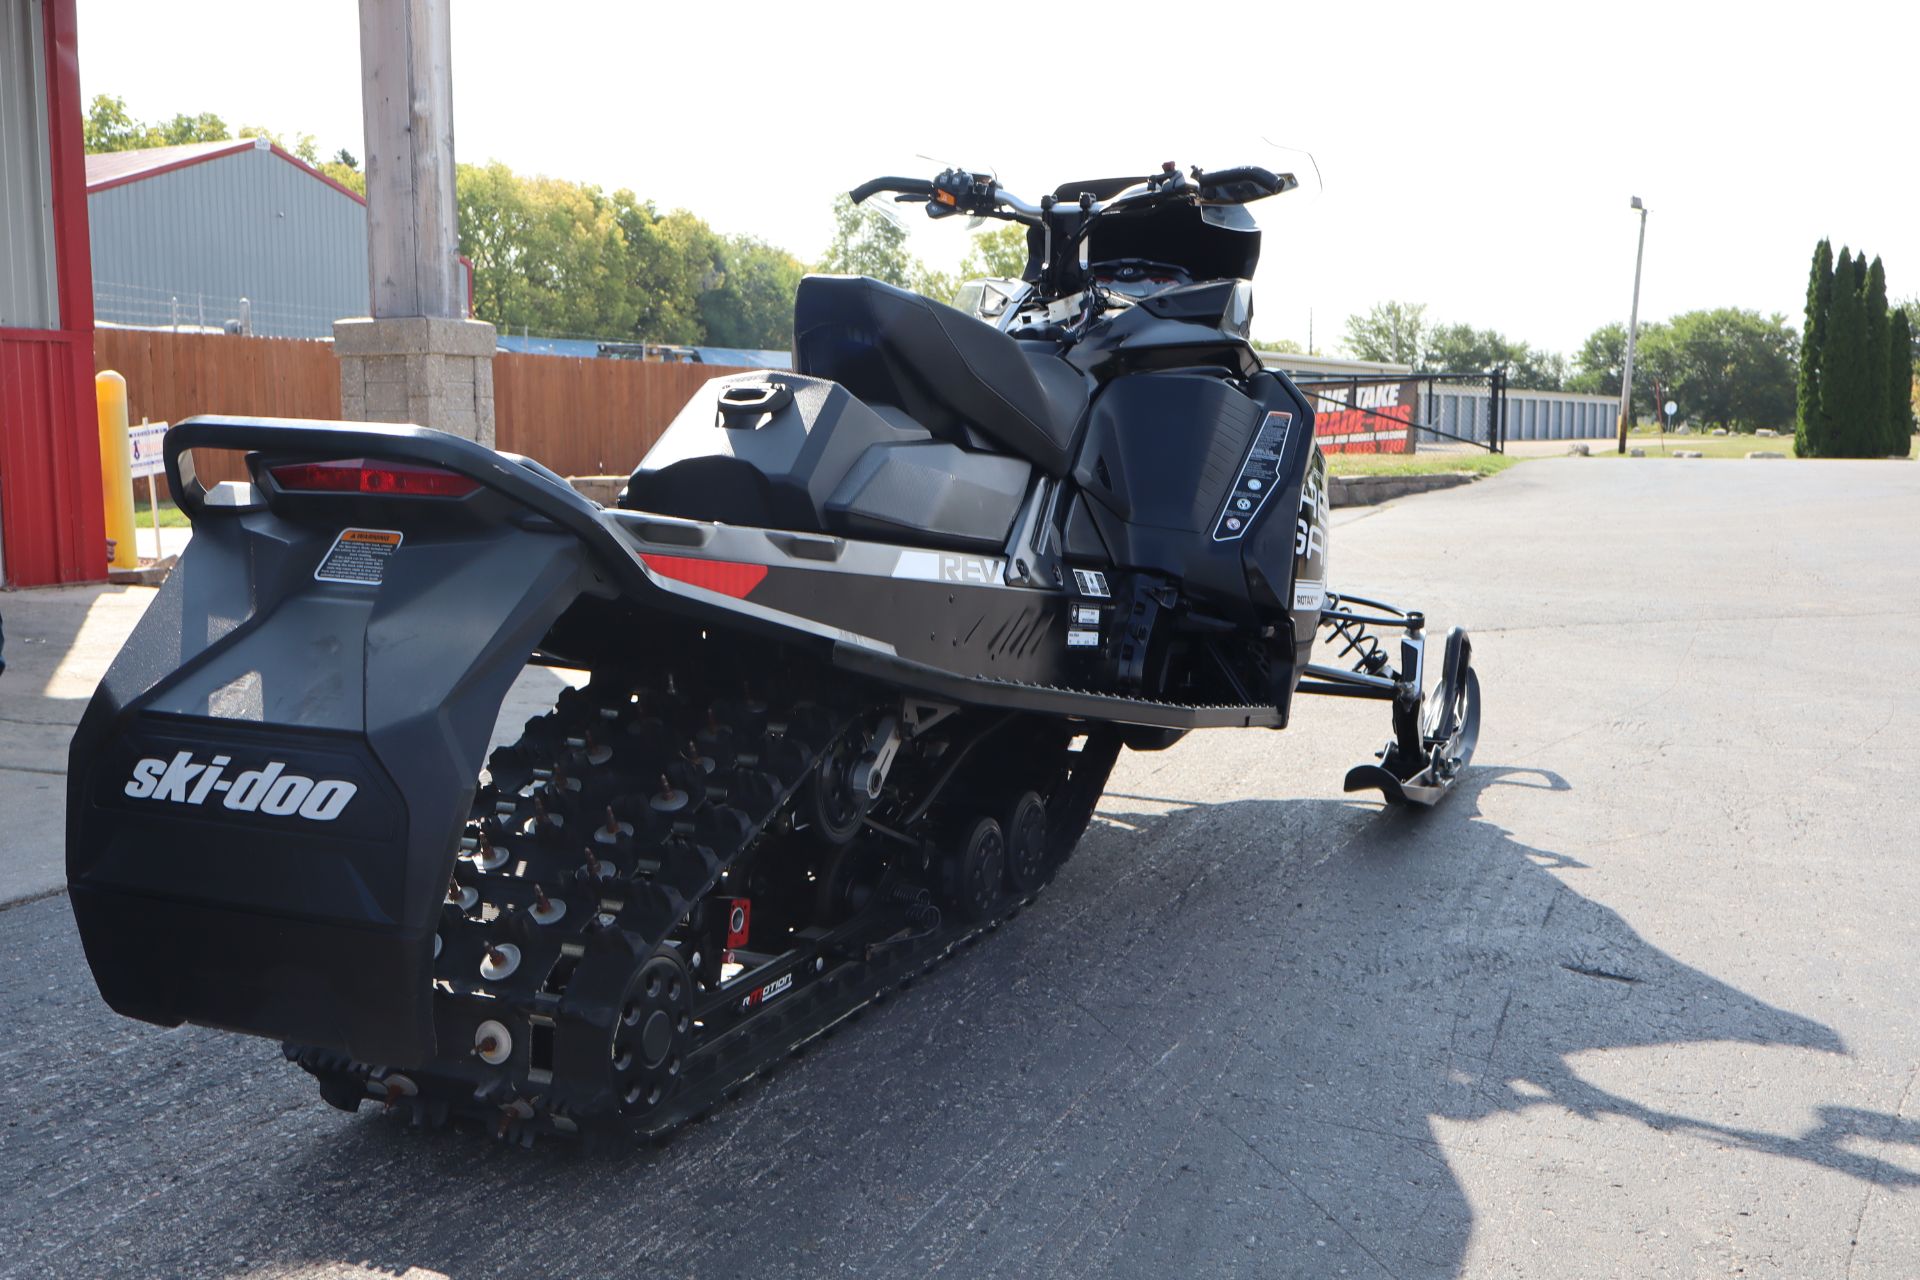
x: 51, y: 508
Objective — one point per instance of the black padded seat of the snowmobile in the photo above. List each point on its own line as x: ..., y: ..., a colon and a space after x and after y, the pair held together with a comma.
x: 942, y: 367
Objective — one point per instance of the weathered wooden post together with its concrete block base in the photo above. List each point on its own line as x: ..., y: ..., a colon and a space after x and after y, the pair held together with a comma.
x: 418, y: 358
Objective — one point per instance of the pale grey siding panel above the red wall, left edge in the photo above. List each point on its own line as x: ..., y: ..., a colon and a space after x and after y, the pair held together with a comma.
x: 28, y: 287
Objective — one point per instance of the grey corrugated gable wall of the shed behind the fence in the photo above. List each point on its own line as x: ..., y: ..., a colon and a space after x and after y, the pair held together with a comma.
x: 247, y: 225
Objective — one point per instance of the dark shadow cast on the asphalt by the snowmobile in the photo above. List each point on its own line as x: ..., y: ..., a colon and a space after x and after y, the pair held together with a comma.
x: 1220, y: 1045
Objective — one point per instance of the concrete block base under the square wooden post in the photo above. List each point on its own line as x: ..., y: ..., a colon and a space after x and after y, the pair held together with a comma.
x: 418, y: 369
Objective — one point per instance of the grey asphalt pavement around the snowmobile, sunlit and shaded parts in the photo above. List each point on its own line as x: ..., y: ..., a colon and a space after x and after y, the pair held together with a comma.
x: 1637, y: 1001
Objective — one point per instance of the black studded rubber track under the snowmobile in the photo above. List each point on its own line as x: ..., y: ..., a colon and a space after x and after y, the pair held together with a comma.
x: 577, y: 982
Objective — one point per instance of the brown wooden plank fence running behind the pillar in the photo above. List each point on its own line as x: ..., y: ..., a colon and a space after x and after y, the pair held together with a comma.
x: 581, y: 417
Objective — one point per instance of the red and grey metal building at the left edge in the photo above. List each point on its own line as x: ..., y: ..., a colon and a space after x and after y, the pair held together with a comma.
x: 51, y: 521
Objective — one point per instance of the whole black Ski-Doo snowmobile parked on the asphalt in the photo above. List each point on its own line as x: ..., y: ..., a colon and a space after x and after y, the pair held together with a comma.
x: 865, y: 644
